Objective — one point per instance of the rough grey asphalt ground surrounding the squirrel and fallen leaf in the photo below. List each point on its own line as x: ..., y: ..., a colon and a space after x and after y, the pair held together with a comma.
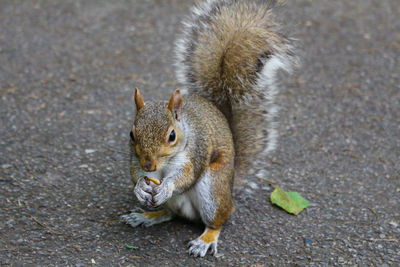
x: 67, y: 73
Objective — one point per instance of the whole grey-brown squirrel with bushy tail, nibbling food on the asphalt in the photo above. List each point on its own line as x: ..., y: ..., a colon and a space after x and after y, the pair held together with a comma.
x: 186, y: 151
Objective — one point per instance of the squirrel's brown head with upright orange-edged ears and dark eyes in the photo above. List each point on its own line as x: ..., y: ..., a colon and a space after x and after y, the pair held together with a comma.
x: 156, y: 135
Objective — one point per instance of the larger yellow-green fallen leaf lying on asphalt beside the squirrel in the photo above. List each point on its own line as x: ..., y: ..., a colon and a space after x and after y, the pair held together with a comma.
x: 292, y: 202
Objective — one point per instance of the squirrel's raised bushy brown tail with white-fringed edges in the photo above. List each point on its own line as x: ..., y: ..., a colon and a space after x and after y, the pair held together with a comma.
x: 229, y: 53
